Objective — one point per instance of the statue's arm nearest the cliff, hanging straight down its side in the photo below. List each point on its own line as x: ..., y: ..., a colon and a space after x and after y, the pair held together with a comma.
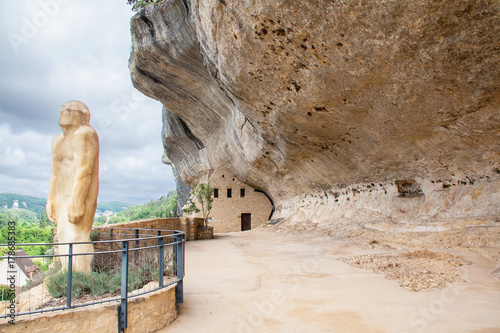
x: 87, y: 155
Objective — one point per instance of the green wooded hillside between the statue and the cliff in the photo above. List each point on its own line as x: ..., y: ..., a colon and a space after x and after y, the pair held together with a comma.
x: 166, y: 206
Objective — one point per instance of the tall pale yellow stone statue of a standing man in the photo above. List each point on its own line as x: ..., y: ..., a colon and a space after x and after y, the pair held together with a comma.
x: 74, y: 183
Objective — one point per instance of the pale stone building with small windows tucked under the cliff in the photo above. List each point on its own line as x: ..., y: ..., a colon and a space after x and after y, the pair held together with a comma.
x: 236, y: 206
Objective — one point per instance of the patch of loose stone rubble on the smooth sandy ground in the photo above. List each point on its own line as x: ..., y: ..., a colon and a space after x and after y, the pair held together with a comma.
x: 416, y: 270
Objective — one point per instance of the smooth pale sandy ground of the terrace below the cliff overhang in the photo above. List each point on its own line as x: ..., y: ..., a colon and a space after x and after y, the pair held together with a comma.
x: 263, y: 281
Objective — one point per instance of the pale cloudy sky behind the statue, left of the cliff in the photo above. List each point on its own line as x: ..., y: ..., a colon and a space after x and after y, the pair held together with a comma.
x: 53, y: 51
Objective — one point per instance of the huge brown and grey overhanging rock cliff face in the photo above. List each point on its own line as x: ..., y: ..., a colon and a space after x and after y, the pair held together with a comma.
x: 360, y: 109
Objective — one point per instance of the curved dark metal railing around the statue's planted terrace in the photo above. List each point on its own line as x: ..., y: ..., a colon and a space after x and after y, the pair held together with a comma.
x: 139, y: 260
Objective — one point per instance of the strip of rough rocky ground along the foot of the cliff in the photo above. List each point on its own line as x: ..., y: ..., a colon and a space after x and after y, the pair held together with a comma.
x: 481, y: 236
